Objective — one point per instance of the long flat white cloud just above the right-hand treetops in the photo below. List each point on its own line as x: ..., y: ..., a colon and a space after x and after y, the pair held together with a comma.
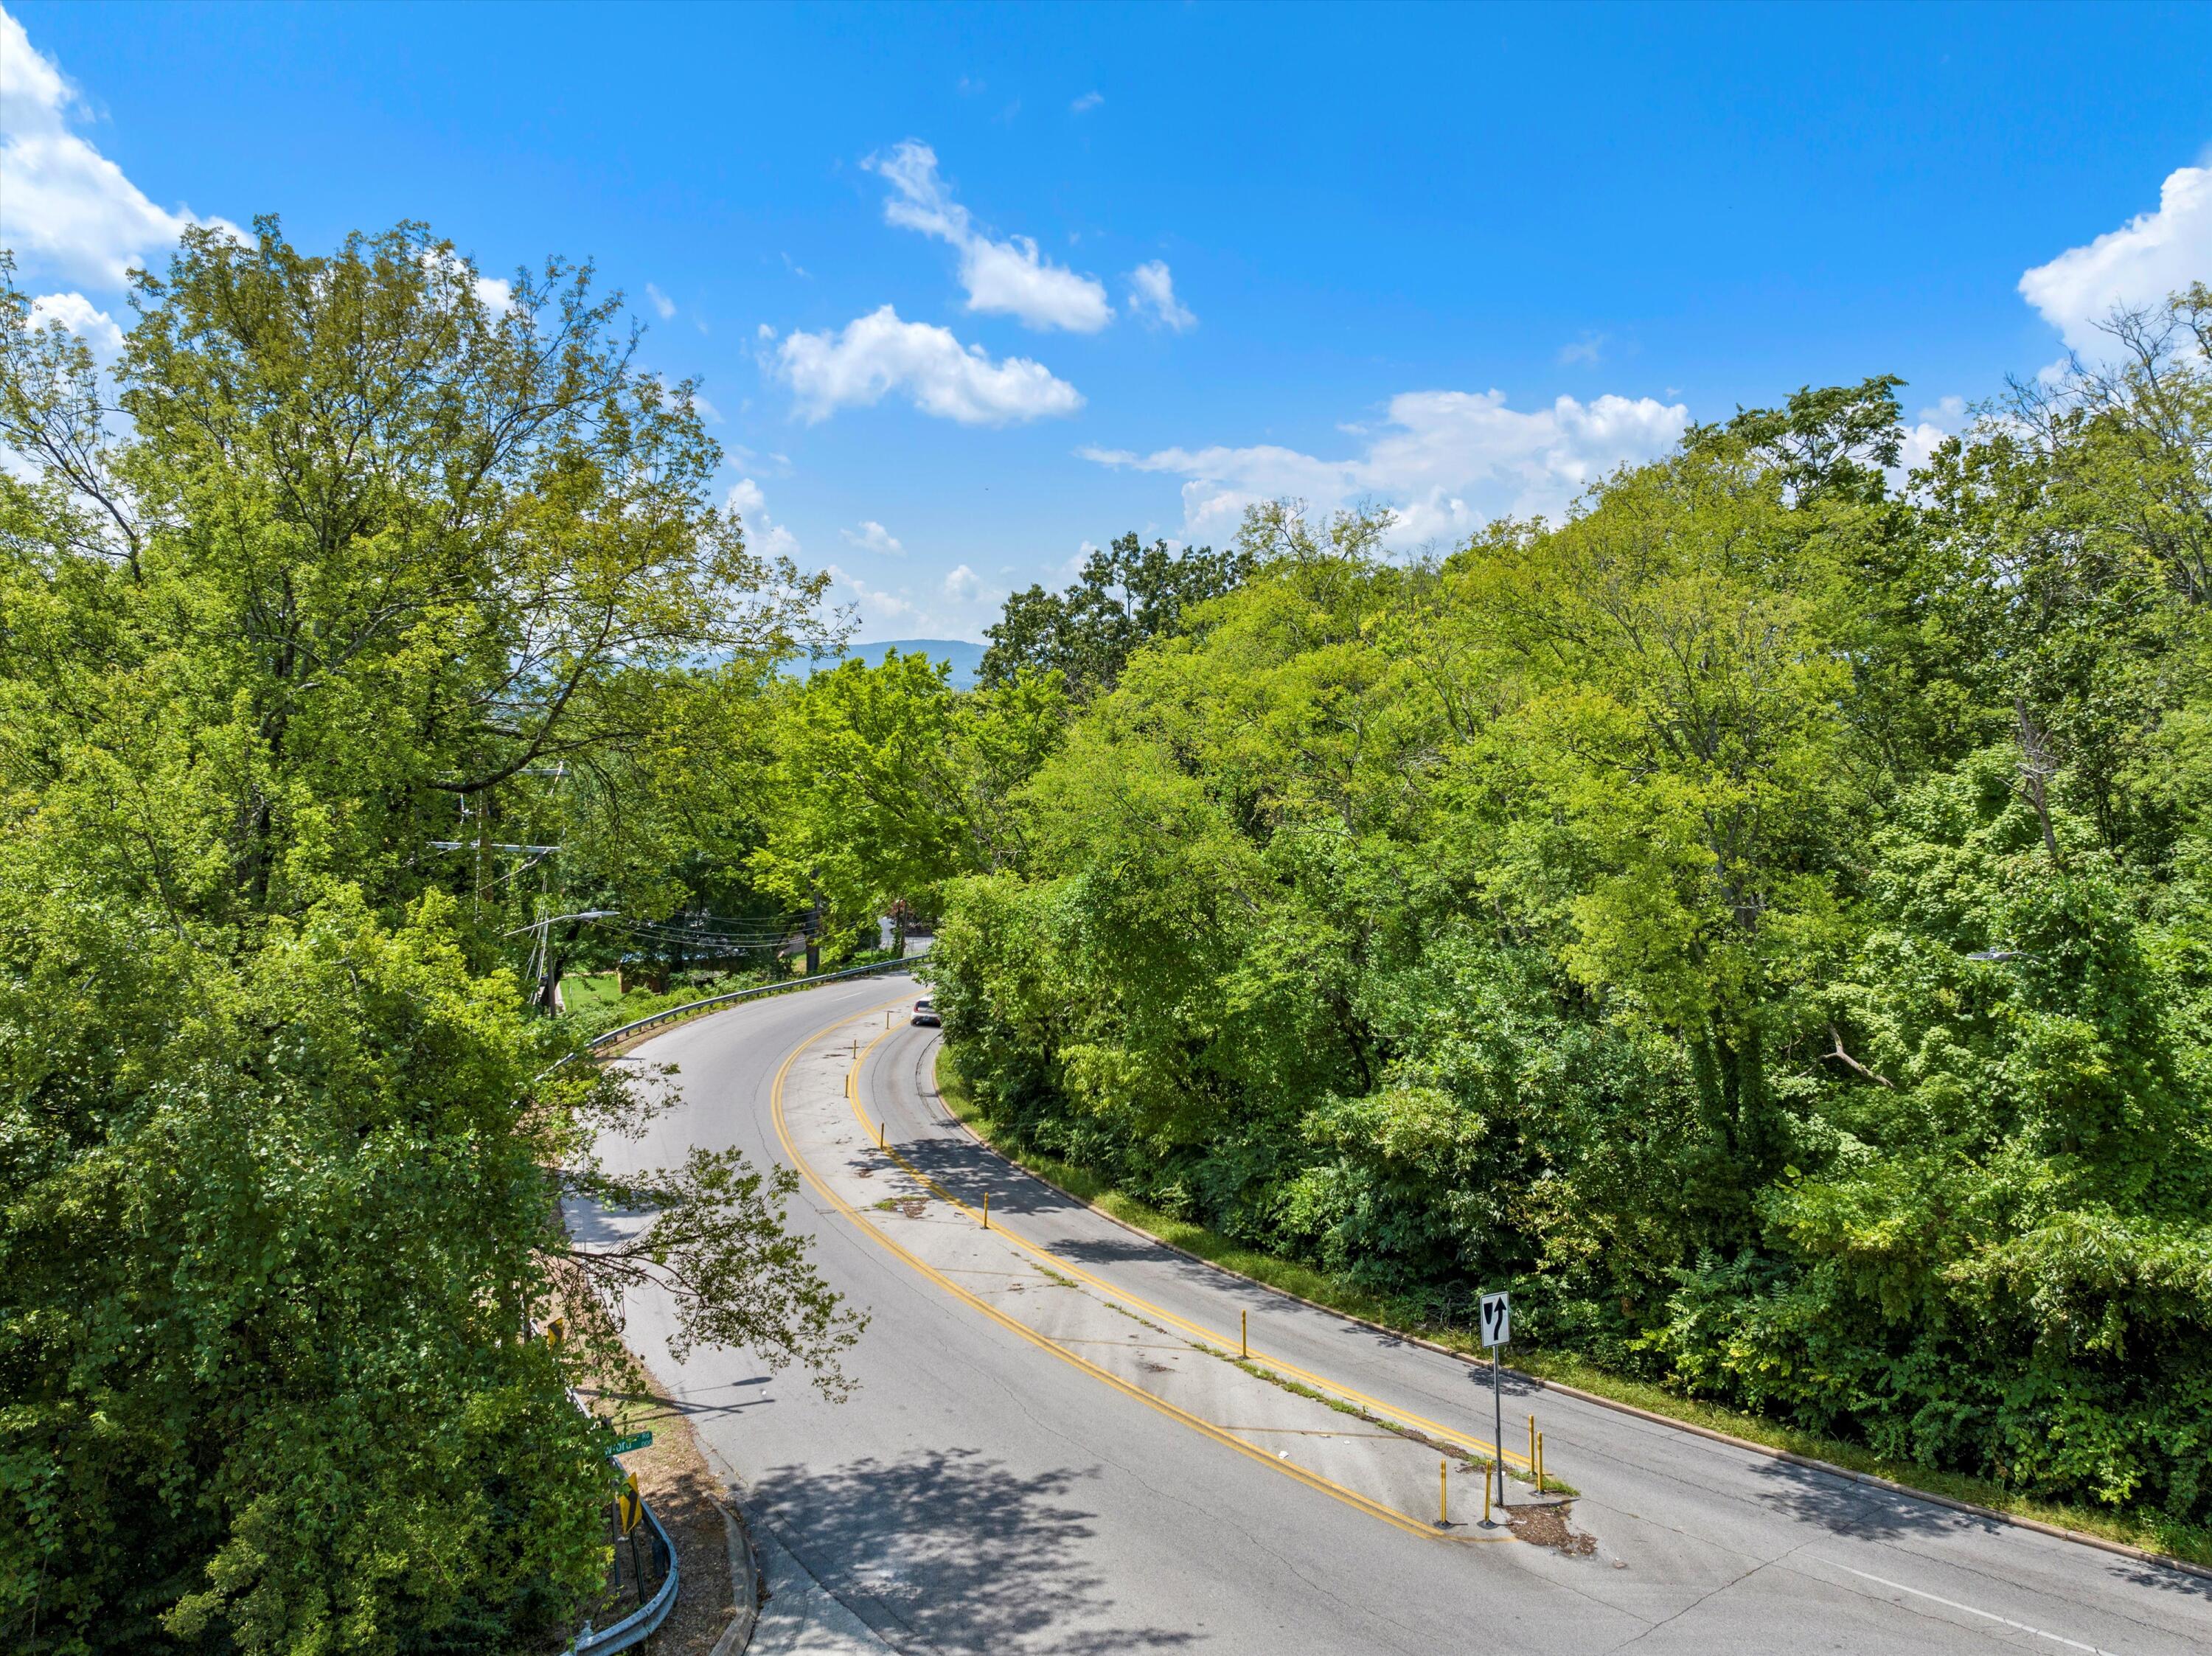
x: 1446, y: 463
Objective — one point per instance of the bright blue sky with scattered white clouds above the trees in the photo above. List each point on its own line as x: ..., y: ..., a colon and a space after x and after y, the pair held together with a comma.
x: 970, y: 289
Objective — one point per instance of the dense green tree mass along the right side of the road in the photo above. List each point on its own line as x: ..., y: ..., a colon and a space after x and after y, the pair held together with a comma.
x: 1764, y: 921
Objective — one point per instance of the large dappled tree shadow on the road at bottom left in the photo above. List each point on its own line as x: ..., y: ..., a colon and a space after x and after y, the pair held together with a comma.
x: 957, y: 1553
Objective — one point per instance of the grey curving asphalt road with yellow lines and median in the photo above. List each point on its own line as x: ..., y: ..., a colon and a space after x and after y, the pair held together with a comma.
x: 1052, y: 1447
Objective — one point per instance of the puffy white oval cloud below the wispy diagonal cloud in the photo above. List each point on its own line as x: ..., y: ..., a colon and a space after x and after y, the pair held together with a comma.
x: 877, y: 355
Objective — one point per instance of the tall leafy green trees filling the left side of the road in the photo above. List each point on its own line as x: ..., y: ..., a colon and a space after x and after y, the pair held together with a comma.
x: 362, y: 587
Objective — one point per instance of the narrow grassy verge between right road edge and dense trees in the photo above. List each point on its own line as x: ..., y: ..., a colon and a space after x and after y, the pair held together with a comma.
x: 1569, y: 1370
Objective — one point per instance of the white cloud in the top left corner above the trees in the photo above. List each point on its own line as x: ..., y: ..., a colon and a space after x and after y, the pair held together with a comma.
x: 63, y: 205
